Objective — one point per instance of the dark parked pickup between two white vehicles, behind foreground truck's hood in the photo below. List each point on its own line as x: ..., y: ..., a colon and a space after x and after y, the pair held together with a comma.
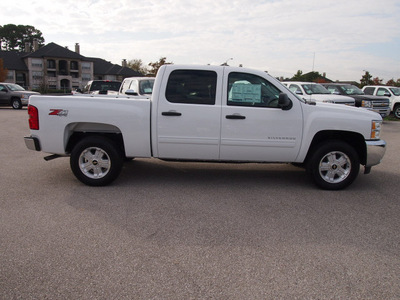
x: 378, y: 104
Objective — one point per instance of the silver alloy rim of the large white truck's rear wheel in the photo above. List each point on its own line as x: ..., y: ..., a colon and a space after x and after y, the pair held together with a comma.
x: 94, y: 162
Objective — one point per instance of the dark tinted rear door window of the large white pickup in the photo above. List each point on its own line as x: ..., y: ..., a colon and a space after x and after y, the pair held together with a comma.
x: 192, y: 87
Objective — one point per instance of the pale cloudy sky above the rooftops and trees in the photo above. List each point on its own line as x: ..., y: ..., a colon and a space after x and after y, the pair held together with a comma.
x: 342, y: 38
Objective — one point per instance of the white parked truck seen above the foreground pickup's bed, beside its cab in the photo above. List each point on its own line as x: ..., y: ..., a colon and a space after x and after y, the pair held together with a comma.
x: 137, y: 86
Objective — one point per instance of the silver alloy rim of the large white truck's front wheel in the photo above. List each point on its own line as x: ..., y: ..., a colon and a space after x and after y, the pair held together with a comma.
x: 334, y: 167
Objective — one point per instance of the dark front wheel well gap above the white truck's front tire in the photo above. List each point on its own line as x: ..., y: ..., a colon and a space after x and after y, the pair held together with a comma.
x: 354, y: 139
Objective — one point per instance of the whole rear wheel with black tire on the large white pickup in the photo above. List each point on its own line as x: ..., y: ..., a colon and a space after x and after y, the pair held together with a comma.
x: 96, y: 161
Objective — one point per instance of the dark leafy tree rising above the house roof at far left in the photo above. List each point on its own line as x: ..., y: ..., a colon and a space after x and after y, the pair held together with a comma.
x: 14, y: 37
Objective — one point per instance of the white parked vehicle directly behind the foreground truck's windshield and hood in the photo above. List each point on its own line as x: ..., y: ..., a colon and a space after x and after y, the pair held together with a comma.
x: 311, y: 91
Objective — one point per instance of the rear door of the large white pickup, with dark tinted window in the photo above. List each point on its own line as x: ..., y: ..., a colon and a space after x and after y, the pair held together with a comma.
x: 188, y: 114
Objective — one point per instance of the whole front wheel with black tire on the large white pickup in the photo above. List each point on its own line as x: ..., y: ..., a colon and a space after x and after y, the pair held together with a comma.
x: 334, y: 165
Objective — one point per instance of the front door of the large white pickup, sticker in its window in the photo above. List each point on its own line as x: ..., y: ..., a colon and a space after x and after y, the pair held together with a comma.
x: 254, y: 128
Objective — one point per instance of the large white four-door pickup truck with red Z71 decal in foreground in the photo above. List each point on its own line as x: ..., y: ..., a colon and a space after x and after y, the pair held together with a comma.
x: 207, y: 113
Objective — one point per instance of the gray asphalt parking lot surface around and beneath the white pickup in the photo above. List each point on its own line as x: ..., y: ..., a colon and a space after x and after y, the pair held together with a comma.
x: 168, y: 230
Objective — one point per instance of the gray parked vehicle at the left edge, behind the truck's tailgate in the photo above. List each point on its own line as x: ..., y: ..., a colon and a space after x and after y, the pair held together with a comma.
x: 14, y: 95
